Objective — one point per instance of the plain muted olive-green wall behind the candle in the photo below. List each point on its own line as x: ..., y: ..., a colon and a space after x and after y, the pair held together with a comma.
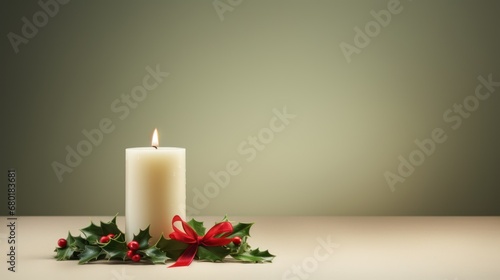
x: 232, y: 65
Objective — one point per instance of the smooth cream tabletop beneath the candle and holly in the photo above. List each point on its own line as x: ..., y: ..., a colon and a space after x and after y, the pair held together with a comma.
x: 368, y: 248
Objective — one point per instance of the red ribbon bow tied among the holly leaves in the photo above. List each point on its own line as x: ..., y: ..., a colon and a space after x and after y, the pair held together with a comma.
x: 189, y: 236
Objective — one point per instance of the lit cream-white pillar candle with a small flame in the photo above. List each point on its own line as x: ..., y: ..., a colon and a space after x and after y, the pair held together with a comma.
x: 155, y: 189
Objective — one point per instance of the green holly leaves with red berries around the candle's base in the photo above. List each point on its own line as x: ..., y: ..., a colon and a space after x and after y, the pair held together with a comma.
x: 107, y: 242
